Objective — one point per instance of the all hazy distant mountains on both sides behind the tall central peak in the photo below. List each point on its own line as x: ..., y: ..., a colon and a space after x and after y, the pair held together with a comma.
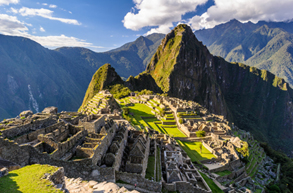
x: 34, y: 77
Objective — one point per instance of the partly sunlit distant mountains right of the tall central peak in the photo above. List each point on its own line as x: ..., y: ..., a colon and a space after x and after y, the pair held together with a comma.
x: 265, y: 45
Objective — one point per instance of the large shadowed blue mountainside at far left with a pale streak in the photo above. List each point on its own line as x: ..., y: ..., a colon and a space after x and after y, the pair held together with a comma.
x: 33, y: 77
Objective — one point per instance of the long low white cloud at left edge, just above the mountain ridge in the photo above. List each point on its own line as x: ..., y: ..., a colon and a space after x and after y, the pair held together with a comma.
x: 10, y: 25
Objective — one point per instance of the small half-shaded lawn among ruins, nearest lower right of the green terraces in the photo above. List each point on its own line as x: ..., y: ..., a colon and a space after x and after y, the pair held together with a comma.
x: 193, y: 151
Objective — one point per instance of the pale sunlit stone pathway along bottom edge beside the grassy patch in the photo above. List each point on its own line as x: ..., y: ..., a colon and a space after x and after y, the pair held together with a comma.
x: 78, y: 186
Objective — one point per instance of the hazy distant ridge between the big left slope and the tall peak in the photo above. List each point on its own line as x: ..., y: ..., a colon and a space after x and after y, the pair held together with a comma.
x: 130, y: 59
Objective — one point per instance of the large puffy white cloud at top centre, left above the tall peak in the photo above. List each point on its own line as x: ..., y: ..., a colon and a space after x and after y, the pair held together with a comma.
x: 158, y: 13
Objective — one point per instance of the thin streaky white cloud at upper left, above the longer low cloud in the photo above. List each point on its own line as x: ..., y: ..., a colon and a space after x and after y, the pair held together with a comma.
x: 45, y: 13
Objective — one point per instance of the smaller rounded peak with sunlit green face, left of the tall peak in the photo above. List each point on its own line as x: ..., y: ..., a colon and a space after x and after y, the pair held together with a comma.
x: 105, y: 76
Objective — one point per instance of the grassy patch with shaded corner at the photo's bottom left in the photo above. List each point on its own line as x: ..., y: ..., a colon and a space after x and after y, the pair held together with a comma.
x: 28, y: 179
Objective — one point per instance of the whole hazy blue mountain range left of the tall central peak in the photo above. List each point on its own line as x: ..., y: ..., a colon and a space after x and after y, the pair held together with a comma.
x: 34, y: 77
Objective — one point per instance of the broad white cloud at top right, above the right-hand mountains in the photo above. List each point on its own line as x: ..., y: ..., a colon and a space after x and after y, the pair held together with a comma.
x: 248, y: 10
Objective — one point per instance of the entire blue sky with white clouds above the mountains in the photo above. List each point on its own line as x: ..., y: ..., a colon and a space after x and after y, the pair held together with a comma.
x: 104, y: 25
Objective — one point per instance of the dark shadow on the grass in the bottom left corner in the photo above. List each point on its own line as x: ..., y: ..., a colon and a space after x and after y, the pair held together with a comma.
x: 8, y: 185
